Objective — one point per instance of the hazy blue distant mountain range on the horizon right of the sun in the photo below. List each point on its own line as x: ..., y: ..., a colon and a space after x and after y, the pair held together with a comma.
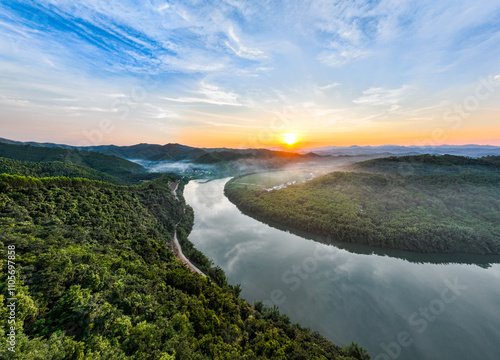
x: 459, y: 150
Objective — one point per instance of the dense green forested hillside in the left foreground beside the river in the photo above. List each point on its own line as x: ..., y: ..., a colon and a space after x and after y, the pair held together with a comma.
x: 95, y: 280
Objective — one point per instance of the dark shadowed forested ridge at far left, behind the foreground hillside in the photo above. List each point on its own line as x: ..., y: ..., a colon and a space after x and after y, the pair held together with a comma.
x: 109, y: 164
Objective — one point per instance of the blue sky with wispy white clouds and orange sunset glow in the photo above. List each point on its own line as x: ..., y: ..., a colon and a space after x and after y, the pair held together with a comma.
x: 228, y: 73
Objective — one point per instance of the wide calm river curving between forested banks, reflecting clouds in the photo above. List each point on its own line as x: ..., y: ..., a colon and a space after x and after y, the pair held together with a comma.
x: 401, y: 305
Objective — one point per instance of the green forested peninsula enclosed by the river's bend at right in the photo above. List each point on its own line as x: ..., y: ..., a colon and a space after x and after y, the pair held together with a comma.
x: 427, y: 204
